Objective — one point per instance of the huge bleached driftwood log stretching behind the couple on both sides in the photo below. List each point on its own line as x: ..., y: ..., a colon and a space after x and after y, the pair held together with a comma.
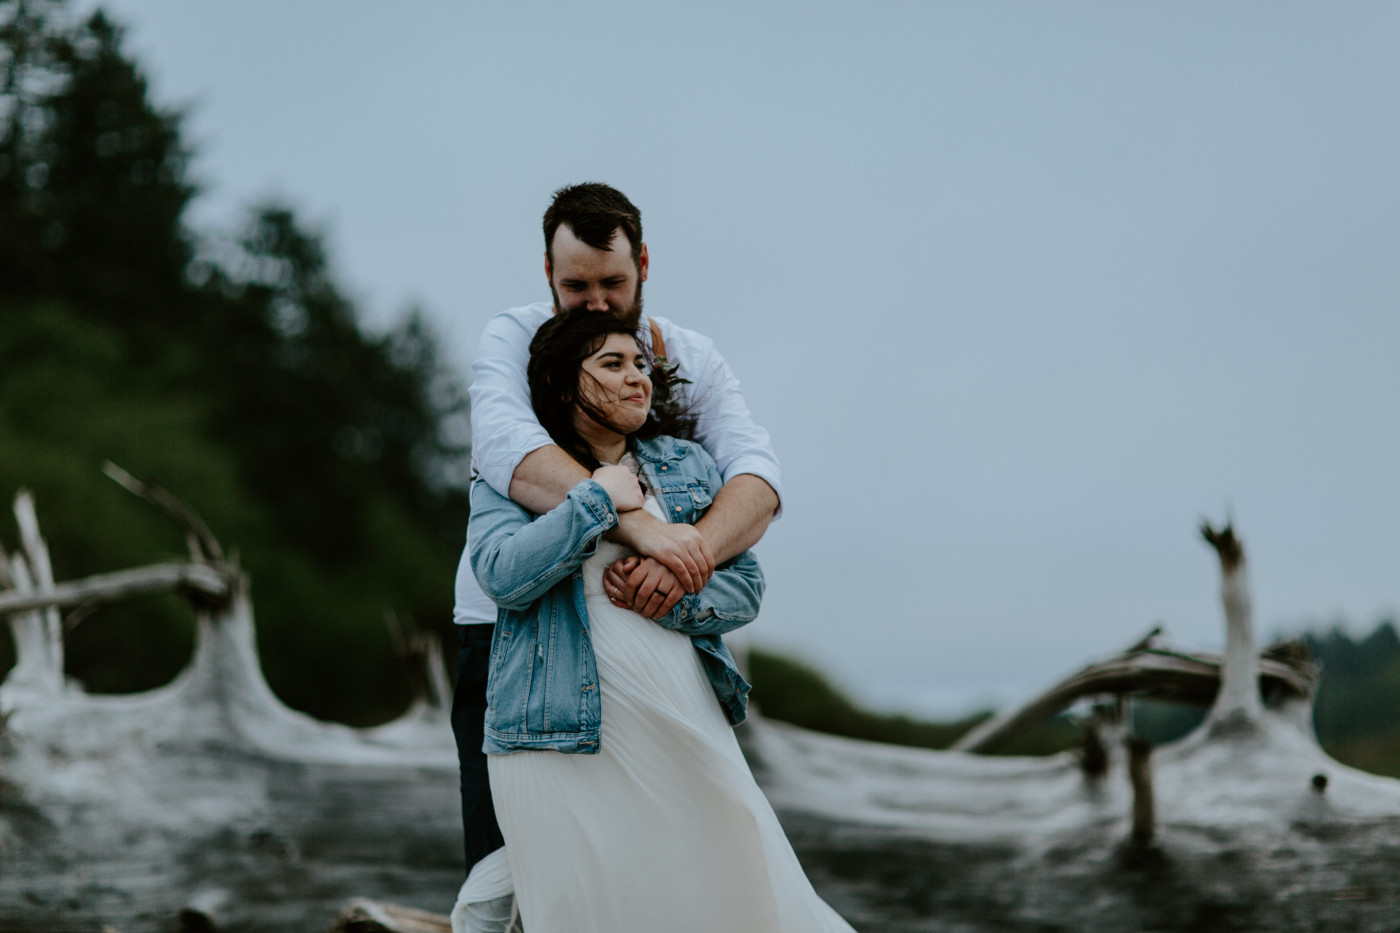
x: 208, y: 805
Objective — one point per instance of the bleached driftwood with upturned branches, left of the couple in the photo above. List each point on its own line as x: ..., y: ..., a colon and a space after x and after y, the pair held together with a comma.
x: 206, y: 801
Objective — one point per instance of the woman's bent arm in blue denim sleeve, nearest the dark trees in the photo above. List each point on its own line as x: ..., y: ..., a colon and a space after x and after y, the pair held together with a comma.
x: 517, y: 558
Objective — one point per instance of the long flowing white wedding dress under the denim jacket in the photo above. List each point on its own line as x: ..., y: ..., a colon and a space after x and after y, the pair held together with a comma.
x: 664, y: 829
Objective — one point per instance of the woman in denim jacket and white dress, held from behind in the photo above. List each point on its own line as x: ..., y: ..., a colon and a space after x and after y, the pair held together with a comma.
x: 619, y: 787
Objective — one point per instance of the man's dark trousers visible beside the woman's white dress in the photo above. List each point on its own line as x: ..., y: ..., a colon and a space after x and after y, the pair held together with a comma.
x: 481, y: 833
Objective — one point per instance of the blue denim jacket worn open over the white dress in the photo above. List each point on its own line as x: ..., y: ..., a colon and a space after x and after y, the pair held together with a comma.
x: 542, y: 689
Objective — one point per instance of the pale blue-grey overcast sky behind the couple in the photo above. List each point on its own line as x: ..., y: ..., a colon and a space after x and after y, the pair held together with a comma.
x: 1021, y: 291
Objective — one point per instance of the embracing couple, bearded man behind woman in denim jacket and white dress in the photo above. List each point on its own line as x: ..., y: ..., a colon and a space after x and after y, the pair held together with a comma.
x: 621, y: 484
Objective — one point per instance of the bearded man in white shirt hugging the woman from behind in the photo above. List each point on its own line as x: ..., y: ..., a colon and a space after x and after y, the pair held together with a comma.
x: 597, y: 260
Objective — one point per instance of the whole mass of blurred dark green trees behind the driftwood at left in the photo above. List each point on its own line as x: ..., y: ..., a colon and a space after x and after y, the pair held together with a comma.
x: 232, y: 369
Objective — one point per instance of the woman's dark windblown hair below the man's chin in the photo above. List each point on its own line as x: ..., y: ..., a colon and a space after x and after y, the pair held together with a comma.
x: 556, y: 364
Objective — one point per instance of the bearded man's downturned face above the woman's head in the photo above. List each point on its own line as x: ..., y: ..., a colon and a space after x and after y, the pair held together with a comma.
x: 597, y: 279
